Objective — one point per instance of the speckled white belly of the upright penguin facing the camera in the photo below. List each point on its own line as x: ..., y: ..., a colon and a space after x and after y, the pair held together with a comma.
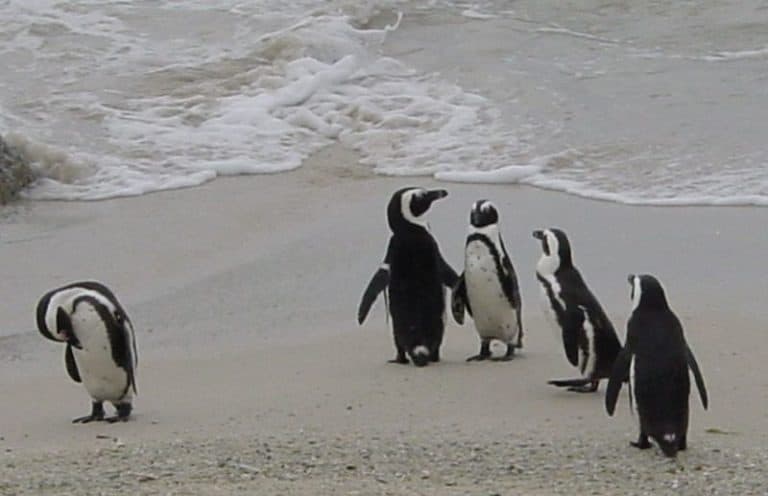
x: 493, y: 314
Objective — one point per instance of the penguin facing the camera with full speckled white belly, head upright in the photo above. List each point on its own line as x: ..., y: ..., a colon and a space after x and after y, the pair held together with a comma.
x: 488, y: 287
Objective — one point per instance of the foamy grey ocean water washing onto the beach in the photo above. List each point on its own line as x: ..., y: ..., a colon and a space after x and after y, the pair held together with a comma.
x: 634, y: 102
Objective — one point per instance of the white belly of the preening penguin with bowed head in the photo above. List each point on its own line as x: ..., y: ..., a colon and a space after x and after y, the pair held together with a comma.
x: 102, y: 378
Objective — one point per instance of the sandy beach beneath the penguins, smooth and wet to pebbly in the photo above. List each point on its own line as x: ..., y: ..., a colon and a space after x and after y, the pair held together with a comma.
x: 255, y: 379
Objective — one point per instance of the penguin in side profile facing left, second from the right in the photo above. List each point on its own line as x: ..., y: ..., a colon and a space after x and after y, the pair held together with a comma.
x: 588, y: 336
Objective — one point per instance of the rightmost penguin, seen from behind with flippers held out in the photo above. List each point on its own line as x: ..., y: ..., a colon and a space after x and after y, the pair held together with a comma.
x: 655, y: 359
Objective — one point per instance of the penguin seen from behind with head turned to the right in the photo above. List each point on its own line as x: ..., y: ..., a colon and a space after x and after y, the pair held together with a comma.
x: 414, y: 274
